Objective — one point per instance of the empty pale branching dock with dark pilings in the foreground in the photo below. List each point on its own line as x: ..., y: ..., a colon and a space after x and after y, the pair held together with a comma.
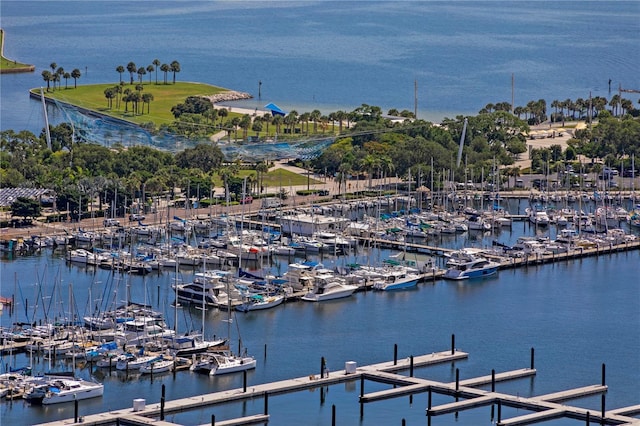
x: 467, y: 396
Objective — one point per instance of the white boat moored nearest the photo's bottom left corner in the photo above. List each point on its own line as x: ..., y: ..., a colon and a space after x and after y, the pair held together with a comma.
x: 63, y: 389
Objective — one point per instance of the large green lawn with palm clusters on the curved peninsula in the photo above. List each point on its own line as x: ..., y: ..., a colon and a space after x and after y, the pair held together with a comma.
x: 165, y: 96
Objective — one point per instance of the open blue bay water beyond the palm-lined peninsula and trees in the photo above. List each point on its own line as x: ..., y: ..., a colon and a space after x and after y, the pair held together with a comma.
x: 316, y: 55
